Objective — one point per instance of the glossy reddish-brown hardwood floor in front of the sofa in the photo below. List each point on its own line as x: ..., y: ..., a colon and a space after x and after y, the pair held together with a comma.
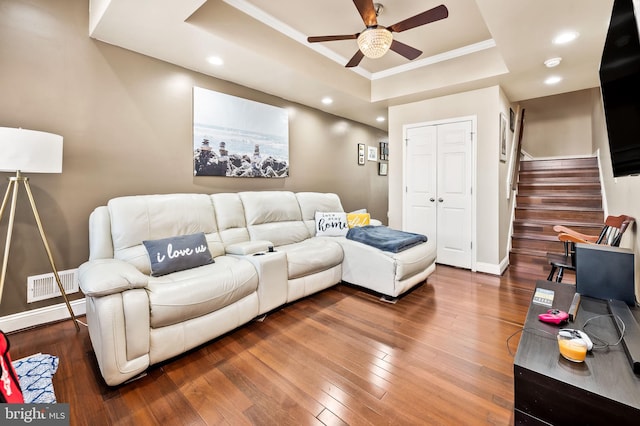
x: 437, y: 356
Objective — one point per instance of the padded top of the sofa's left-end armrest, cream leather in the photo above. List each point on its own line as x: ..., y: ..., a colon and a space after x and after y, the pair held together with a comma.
x: 101, y: 277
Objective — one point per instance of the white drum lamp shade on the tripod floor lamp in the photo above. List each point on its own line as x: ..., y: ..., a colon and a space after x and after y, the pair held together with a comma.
x: 30, y: 151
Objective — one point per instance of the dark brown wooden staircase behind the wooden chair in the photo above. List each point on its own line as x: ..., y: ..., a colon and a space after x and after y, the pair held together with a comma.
x: 553, y: 192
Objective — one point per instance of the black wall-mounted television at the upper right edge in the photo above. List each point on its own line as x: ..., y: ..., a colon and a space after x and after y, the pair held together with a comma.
x: 620, y: 85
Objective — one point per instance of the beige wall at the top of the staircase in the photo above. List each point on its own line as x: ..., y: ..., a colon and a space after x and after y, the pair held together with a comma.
x: 558, y: 125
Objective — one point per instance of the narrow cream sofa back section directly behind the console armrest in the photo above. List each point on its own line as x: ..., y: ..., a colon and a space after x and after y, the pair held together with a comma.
x: 232, y: 226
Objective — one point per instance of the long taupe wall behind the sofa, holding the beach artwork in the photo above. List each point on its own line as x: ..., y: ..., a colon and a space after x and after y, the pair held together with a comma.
x: 126, y: 123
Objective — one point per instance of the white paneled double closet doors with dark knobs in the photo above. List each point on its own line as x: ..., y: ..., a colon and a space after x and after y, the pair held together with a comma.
x: 438, y: 192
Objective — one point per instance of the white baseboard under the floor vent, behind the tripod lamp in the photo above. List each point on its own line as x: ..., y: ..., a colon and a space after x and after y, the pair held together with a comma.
x: 41, y: 316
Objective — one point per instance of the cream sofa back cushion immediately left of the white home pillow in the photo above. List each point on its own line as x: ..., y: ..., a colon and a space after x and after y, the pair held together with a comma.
x: 274, y: 216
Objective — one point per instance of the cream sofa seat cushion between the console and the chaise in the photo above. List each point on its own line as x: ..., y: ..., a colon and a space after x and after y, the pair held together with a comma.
x: 311, y: 256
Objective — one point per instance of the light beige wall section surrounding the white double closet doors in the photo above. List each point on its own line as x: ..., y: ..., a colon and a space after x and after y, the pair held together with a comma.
x: 492, y: 213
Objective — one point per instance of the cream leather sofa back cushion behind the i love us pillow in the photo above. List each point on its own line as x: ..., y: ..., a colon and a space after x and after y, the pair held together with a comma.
x: 135, y: 219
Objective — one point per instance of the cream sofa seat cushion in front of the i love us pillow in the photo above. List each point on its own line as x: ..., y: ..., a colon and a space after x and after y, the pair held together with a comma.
x: 187, y: 294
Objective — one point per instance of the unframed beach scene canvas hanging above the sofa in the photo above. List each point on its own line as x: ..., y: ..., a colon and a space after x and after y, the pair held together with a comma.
x: 237, y: 137
